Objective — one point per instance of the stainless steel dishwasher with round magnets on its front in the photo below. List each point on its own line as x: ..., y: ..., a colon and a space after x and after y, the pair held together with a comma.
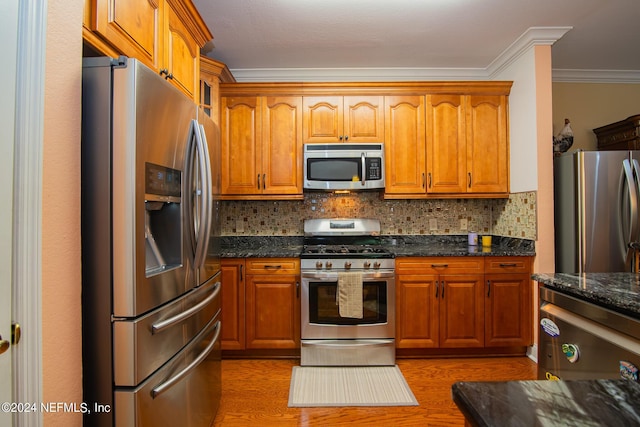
x: 581, y: 340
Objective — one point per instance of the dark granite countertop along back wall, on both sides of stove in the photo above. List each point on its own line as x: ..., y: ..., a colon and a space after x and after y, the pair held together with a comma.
x: 291, y: 246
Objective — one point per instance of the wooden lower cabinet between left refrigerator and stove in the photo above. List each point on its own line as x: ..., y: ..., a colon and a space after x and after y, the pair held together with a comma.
x: 260, y: 304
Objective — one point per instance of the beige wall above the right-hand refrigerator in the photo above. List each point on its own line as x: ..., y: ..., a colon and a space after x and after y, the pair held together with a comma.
x: 591, y: 105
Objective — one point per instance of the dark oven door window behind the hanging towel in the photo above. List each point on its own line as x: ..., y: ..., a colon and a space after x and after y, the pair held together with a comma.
x: 323, y: 308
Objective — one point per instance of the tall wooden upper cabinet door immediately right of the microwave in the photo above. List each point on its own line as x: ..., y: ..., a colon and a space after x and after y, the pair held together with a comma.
x: 405, y: 145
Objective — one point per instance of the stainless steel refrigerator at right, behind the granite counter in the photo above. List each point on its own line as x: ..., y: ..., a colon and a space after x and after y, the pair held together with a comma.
x: 597, y: 224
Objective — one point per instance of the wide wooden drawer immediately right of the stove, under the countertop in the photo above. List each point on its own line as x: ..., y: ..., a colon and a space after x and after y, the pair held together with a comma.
x: 440, y: 265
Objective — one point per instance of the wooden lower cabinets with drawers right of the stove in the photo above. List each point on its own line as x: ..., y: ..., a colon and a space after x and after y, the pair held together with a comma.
x: 463, y: 302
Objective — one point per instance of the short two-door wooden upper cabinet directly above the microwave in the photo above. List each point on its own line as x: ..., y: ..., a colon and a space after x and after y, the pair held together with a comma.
x: 343, y: 119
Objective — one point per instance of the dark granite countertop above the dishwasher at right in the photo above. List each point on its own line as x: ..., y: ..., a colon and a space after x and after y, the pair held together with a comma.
x: 617, y: 291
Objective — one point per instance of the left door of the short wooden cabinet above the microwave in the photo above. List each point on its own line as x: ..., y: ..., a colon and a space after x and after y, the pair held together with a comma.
x: 322, y: 119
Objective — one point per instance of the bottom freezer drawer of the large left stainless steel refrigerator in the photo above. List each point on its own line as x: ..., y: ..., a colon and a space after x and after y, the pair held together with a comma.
x: 184, y: 392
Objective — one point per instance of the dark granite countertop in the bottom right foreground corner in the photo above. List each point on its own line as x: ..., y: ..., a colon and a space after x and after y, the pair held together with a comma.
x: 549, y: 403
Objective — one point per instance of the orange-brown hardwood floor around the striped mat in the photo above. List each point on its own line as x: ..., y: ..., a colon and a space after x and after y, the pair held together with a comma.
x: 256, y: 392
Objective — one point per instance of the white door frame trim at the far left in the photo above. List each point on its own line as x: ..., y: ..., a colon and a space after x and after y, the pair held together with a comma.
x: 27, y: 253
